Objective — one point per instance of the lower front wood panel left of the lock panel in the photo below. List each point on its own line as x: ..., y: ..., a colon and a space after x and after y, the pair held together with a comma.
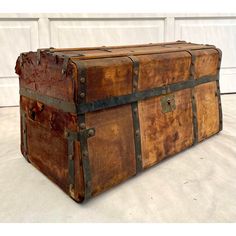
x: 111, y: 150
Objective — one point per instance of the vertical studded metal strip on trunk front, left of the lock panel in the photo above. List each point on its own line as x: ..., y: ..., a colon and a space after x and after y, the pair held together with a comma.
x: 135, y: 115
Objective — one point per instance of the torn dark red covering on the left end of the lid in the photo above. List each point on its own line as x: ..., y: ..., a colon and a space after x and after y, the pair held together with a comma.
x: 46, y: 78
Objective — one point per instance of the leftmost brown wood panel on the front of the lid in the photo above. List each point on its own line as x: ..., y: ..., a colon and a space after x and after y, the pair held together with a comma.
x: 108, y: 78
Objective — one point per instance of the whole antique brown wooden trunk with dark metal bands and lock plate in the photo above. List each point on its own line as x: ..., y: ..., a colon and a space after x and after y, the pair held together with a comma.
x: 93, y: 117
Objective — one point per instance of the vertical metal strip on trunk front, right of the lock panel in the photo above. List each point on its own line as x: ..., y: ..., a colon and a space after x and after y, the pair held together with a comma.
x: 194, y: 107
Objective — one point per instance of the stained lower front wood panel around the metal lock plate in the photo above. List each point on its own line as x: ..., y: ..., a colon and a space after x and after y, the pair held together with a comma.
x: 164, y: 134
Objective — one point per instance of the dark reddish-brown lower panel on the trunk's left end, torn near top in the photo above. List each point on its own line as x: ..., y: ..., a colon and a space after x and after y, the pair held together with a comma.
x: 46, y: 141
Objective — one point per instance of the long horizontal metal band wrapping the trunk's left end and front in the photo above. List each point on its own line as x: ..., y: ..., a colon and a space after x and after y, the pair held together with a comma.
x: 81, y: 108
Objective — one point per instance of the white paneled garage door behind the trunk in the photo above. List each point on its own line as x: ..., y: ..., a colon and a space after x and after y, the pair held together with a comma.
x: 27, y: 32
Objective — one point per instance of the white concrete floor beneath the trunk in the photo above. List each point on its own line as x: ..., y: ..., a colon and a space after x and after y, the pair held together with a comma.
x: 198, y: 185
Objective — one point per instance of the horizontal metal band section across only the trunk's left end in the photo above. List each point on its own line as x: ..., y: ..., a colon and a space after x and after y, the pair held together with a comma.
x: 54, y: 102
